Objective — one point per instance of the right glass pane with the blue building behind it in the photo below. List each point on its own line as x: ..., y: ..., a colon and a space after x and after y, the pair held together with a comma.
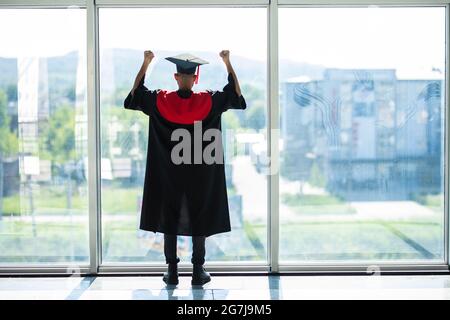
x: 362, y: 134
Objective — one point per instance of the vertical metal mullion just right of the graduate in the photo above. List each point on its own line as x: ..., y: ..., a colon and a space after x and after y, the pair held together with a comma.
x: 272, y: 137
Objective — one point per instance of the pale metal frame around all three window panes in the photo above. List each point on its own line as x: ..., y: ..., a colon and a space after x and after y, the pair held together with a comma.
x: 96, y: 267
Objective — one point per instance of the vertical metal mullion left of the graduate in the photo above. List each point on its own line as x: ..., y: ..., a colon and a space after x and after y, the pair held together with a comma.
x: 93, y: 137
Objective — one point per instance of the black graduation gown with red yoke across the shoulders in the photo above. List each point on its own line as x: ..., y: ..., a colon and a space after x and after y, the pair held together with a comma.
x: 183, y: 199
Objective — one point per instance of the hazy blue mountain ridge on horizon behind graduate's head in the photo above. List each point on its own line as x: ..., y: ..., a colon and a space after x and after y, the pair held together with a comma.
x: 119, y: 68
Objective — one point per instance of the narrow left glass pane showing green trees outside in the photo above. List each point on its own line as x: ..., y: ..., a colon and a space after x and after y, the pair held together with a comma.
x: 43, y: 151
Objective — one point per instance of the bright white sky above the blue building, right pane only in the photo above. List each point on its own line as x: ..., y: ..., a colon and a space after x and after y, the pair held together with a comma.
x: 401, y: 38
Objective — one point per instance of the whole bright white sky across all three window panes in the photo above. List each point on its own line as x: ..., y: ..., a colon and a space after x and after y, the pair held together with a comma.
x: 402, y: 38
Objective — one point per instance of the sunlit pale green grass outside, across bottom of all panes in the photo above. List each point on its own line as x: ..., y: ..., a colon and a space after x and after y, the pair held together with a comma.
x: 58, y: 241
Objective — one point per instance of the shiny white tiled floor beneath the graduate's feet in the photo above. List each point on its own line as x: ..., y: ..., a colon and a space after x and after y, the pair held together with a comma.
x: 229, y: 287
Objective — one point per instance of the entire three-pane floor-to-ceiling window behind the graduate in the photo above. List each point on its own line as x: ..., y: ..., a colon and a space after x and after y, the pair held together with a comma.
x: 362, y: 143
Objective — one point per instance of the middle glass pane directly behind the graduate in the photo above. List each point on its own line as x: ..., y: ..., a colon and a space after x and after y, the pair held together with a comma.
x: 125, y: 132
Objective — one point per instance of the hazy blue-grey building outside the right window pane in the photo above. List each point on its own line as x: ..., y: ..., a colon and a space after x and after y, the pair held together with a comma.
x: 372, y: 133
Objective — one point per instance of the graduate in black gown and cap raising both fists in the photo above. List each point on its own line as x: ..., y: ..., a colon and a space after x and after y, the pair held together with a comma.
x: 185, y: 187
